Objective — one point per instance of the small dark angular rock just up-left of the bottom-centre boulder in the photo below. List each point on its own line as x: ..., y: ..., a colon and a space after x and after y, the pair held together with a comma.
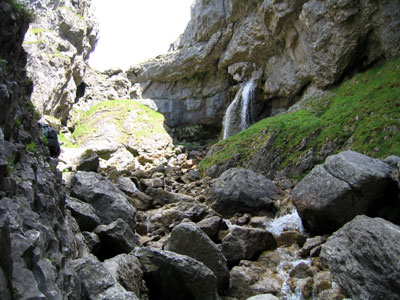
x: 116, y: 238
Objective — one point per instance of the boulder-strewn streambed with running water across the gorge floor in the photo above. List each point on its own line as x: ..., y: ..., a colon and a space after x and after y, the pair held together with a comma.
x: 163, y: 232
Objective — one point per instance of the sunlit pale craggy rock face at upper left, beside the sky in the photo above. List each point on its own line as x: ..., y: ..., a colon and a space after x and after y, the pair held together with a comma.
x: 58, y: 43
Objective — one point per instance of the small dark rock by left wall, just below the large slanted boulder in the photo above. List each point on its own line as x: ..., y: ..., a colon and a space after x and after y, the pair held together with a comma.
x: 84, y: 214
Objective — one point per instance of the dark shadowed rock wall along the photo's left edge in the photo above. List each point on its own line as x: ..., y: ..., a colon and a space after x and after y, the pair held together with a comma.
x: 37, y: 233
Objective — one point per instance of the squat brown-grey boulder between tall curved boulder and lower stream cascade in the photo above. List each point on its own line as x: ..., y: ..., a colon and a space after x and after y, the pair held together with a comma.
x: 246, y: 243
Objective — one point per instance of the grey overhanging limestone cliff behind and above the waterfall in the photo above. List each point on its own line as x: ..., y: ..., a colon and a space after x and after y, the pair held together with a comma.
x: 296, y: 44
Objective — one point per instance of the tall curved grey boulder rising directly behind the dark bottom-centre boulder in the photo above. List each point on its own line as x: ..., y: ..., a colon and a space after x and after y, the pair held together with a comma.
x: 188, y: 239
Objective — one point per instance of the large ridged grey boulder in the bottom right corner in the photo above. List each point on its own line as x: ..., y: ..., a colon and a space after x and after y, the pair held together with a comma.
x: 363, y: 258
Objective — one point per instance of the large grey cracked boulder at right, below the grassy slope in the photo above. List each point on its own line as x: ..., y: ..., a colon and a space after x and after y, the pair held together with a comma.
x: 348, y: 184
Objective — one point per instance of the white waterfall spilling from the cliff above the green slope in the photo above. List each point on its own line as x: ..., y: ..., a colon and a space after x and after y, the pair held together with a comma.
x: 243, y: 98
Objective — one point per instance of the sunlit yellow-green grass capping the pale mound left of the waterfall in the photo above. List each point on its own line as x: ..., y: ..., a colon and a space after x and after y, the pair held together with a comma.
x: 129, y: 117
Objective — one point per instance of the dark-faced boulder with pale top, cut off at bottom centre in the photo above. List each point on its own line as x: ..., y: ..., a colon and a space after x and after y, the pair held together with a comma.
x: 173, y: 276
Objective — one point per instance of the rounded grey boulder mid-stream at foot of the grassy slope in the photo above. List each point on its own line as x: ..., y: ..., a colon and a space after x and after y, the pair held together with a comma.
x: 243, y: 191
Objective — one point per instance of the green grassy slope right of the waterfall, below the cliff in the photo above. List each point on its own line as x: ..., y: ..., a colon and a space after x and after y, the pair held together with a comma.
x: 363, y: 114
